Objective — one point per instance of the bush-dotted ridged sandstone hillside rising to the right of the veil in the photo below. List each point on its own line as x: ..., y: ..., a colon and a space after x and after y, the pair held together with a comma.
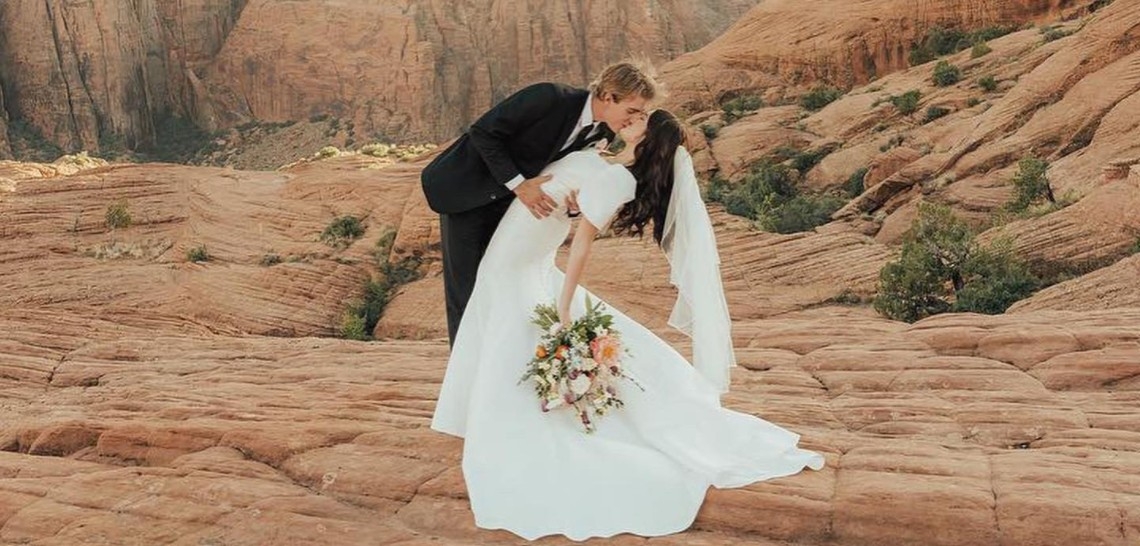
x: 1071, y: 102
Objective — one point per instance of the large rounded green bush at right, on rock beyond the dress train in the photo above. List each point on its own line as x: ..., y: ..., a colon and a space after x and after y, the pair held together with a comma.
x: 942, y: 268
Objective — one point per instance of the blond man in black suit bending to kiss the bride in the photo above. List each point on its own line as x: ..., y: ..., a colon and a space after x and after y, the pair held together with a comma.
x: 473, y: 183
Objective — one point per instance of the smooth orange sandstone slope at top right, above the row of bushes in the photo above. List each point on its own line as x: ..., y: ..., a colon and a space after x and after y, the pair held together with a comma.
x: 791, y: 43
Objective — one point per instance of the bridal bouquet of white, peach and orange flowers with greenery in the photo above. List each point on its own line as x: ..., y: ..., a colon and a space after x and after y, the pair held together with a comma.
x: 577, y: 366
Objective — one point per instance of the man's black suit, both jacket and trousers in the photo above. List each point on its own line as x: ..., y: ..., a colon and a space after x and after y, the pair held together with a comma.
x: 466, y: 184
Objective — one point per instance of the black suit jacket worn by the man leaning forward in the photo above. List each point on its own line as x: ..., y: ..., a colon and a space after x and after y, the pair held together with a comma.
x: 519, y: 136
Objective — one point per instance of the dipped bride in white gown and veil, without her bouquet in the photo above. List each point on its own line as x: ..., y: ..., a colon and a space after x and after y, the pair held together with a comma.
x: 648, y: 467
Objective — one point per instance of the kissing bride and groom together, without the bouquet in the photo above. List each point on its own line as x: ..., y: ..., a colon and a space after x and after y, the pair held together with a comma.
x: 508, y: 192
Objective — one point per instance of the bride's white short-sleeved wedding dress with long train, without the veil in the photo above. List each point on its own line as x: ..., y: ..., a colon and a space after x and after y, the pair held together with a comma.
x: 648, y: 467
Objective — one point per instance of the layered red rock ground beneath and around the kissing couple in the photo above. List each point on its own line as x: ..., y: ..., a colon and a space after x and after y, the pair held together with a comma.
x: 151, y: 401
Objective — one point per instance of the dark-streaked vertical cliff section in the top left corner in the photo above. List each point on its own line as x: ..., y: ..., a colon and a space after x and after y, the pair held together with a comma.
x: 80, y: 72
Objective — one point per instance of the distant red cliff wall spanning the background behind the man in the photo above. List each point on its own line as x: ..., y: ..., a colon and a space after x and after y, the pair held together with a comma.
x: 99, y: 75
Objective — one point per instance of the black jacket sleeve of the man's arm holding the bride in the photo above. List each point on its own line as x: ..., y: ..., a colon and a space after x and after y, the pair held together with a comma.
x: 491, y: 134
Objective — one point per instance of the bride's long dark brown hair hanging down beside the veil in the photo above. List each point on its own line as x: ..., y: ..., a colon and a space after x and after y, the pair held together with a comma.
x: 654, y: 172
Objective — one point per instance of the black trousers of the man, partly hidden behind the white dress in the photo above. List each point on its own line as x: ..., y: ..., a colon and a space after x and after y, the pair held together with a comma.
x: 465, y: 238
